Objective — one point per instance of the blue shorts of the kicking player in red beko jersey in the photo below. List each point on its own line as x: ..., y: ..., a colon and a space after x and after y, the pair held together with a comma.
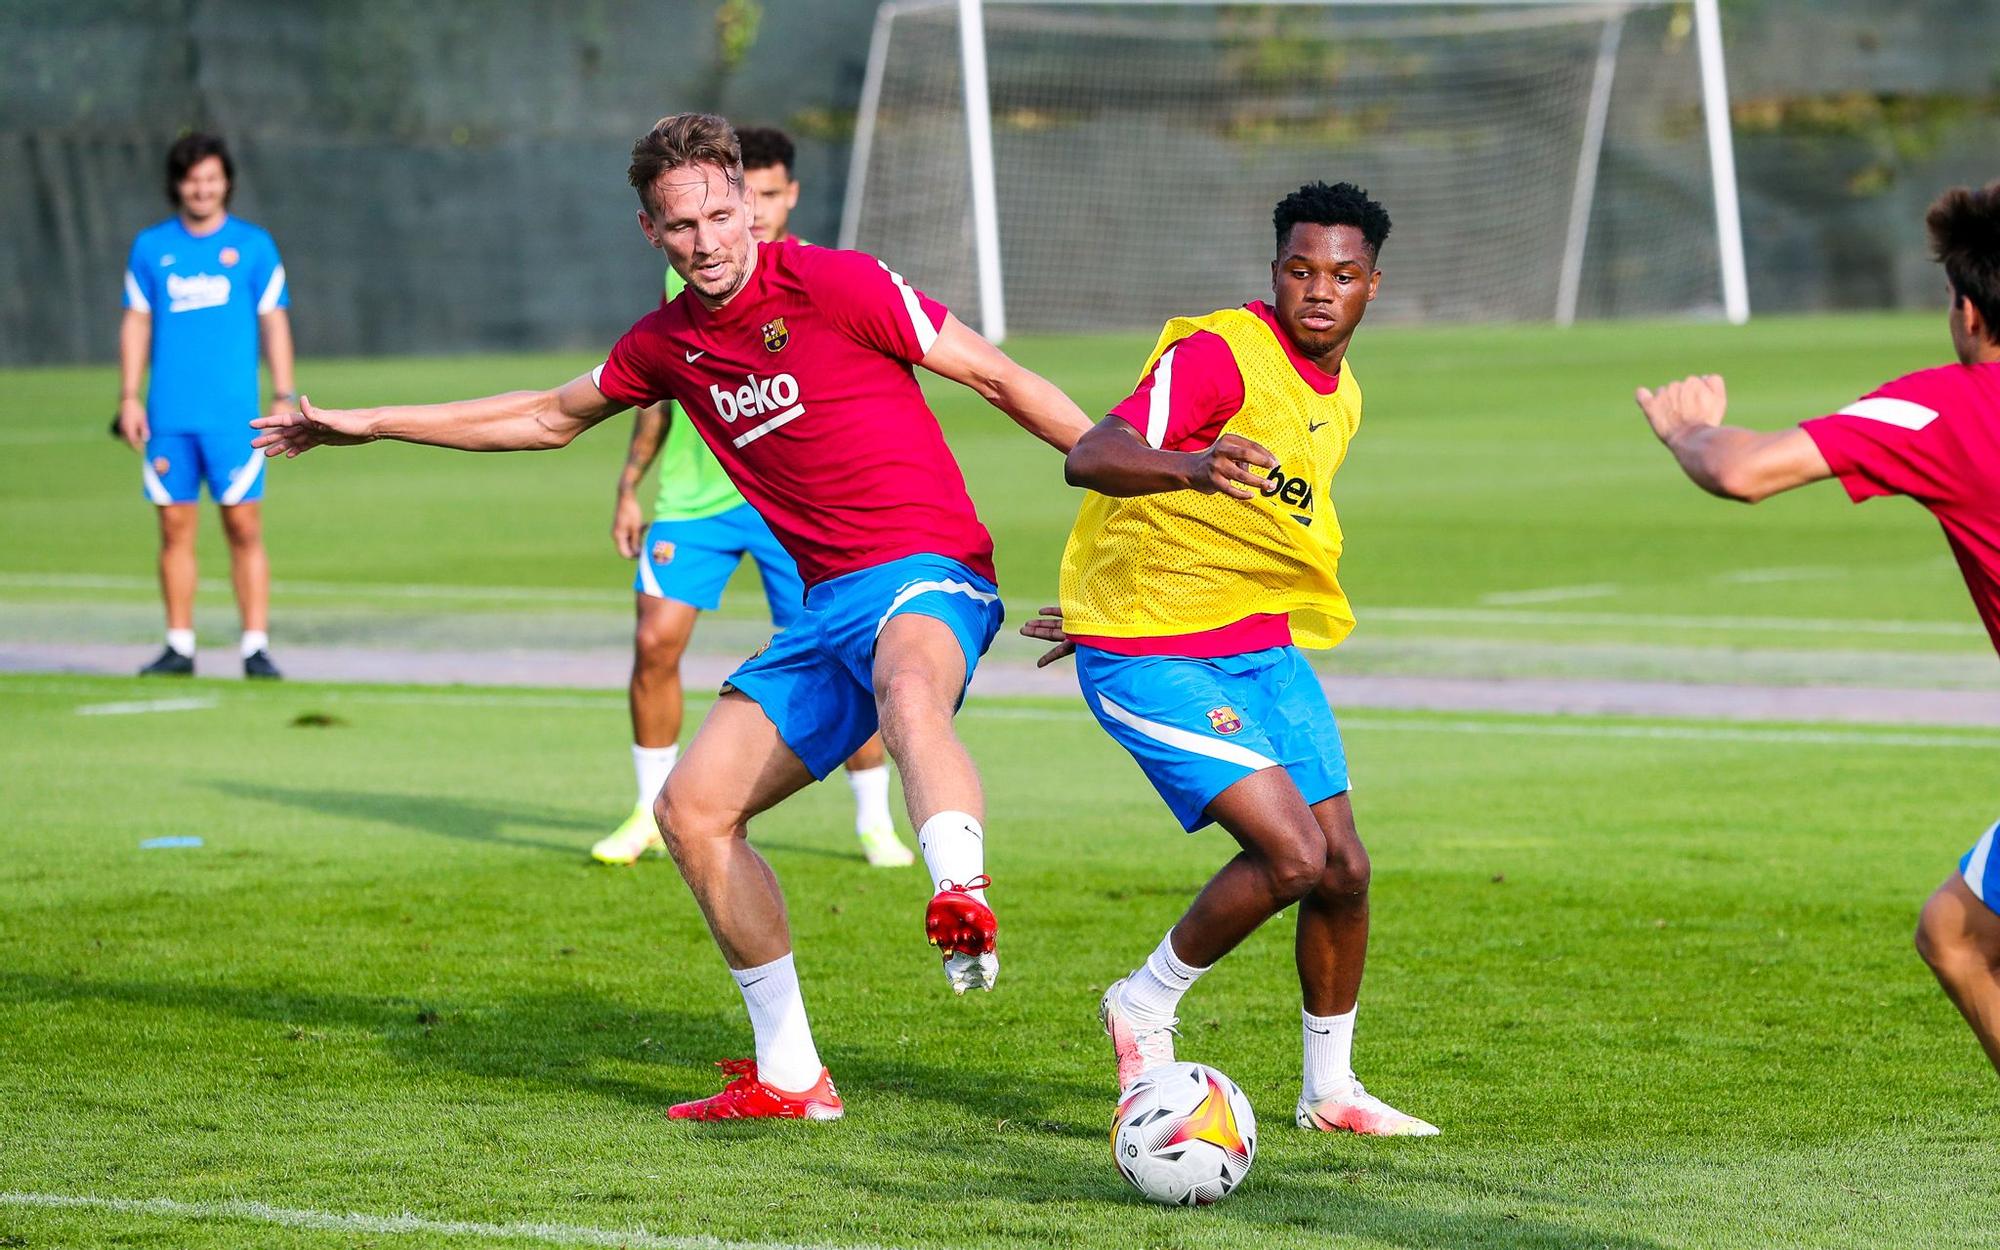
x: 817, y: 677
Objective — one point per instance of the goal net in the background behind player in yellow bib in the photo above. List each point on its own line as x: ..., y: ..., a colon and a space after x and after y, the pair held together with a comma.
x: 1539, y: 161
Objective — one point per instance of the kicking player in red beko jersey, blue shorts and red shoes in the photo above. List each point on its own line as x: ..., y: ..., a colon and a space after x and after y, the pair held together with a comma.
x: 795, y: 365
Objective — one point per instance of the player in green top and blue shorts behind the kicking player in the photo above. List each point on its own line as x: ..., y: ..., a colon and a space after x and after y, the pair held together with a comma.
x: 701, y: 531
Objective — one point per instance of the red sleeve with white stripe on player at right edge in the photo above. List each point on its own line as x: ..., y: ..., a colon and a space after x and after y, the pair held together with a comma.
x: 1885, y: 443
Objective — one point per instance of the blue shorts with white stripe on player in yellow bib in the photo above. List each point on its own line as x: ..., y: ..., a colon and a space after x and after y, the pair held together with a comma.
x: 1199, y: 727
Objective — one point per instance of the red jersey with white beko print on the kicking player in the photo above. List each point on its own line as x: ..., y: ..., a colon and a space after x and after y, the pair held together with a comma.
x: 803, y: 389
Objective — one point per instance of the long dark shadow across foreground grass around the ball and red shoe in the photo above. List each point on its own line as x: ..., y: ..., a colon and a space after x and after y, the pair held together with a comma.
x: 1031, y: 1151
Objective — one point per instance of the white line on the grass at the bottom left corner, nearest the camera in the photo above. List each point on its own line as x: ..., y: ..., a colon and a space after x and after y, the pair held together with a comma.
x: 263, y: 1213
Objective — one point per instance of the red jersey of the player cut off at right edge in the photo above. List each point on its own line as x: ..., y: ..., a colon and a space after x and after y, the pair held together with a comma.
x: 1933, y: 437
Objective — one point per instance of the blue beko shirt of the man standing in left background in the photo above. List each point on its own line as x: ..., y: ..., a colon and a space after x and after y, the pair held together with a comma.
x: 205, y: 295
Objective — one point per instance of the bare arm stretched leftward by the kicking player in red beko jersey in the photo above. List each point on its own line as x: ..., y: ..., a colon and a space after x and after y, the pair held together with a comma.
x: 521, y: 421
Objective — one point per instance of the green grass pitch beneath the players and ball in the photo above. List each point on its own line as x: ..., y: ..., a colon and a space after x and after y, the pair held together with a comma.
x: 1653, y: 979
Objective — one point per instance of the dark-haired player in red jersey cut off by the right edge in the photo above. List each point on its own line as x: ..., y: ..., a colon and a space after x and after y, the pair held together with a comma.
x: 1935, y: 437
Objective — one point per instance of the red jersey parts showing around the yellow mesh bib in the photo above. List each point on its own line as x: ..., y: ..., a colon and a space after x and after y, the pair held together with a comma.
x: 1181, y: 405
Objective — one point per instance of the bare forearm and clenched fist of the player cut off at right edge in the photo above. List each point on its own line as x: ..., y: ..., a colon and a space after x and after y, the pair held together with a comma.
x: 1727, y: 461
